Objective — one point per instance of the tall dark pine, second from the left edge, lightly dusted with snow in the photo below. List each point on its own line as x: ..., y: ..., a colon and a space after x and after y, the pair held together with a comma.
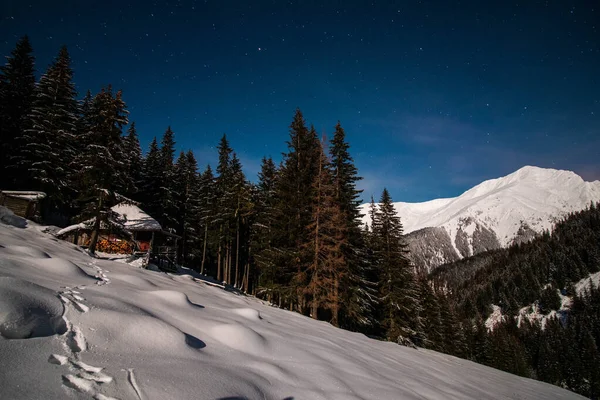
x: 49, y: 142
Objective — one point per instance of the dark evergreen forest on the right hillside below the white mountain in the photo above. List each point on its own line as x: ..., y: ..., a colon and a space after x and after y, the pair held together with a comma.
x: 565, y: 352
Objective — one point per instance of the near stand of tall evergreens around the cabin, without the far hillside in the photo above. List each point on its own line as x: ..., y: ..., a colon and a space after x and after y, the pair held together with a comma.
x: 292, y: 238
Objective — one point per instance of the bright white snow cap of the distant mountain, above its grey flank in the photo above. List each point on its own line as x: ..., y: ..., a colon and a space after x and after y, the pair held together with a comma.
x: 533, y: 195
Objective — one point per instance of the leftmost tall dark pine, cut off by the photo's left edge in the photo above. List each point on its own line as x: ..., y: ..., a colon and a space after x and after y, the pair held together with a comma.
x: 17, y: 86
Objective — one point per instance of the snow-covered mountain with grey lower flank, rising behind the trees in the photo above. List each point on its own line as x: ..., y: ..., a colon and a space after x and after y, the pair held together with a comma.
x: 493, y: 214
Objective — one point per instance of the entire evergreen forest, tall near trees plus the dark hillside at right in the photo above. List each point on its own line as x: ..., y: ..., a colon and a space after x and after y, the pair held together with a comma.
x: 294, y: 237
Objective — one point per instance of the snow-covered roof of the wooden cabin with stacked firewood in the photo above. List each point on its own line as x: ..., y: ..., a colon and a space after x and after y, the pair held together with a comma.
x: 131, y: 218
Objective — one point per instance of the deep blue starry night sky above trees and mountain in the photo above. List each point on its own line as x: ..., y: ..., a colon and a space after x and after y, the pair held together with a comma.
x: 435, y: 96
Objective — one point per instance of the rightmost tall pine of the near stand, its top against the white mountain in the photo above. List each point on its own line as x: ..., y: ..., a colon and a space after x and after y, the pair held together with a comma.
x: 399, y: 296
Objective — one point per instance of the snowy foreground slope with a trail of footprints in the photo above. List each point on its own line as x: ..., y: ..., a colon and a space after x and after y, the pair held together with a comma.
x: 78, y: 327
